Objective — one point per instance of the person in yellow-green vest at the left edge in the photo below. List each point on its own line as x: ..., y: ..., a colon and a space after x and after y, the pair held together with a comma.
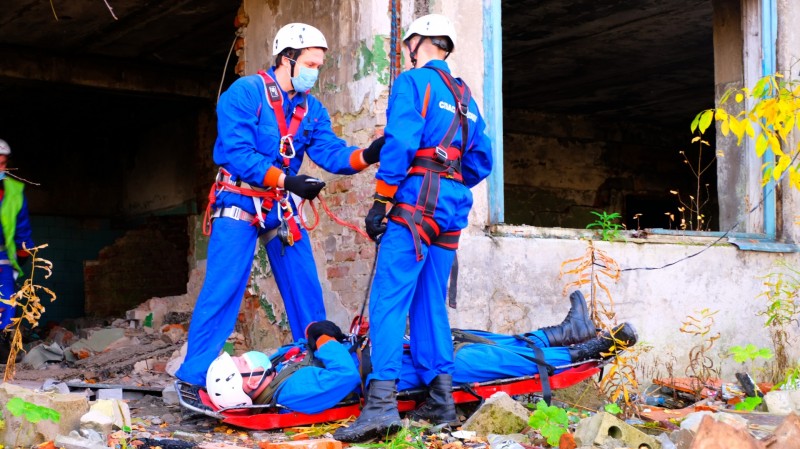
x: 16, y: 233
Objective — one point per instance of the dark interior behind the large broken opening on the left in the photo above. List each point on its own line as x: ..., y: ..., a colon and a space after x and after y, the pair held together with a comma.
x: 109, y: 119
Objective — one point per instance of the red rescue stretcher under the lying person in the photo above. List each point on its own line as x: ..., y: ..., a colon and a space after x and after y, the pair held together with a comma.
x: 269, y: 417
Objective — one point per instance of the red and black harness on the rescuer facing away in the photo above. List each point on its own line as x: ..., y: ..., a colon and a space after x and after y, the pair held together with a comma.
x: 434, y: 163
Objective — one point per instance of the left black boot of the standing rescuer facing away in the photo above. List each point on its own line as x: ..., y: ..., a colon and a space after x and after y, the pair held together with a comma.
x: 379, y: 417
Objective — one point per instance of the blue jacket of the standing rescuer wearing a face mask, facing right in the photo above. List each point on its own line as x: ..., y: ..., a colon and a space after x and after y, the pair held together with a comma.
x: 248, y: 138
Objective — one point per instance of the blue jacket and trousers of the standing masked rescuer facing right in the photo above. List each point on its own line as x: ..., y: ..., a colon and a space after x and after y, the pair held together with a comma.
x: 247, y: 146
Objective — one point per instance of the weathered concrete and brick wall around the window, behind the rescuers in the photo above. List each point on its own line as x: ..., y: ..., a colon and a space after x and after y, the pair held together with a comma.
x: 509, y: 275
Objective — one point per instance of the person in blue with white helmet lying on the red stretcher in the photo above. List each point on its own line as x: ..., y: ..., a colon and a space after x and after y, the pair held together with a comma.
x: 316, y: 380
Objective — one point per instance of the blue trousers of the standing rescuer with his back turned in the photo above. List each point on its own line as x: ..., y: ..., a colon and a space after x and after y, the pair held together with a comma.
x: 404, y: 287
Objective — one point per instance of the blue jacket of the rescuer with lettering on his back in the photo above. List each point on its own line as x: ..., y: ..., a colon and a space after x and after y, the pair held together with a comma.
x: 413, y: 123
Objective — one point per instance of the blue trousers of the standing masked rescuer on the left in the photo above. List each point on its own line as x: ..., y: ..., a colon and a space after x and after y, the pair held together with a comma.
x: 230, y: 259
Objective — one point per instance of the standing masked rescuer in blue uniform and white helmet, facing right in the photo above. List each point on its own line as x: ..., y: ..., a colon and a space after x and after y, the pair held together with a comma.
x: 266, y: 124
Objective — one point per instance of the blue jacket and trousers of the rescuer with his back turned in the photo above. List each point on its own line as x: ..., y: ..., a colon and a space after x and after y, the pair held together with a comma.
x: 402, y: 285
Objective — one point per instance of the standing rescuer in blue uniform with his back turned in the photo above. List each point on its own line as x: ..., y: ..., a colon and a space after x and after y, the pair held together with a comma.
x: 436, y: 150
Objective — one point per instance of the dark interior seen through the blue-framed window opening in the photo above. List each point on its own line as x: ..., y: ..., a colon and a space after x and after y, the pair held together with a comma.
x: 598, y: 98
